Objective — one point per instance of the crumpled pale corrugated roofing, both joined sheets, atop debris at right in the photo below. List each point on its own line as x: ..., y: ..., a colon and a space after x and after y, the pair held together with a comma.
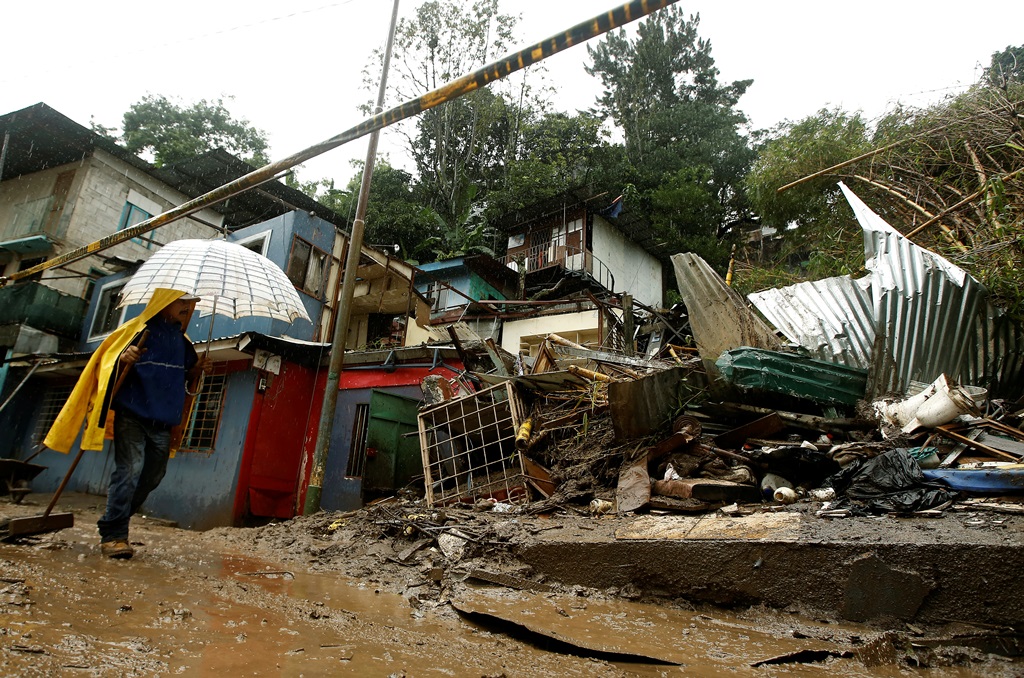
x: 915, y: 317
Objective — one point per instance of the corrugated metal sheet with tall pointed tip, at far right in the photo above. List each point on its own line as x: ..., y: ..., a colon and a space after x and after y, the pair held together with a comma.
x: 932, y: 318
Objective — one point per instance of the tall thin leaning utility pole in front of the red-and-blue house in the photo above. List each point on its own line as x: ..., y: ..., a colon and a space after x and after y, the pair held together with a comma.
x: 345, y: 308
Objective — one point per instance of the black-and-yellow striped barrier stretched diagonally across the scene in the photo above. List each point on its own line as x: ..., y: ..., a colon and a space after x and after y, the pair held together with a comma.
x: 602, y: 24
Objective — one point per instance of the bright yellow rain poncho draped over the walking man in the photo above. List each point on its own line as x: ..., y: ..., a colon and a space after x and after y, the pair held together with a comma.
x: 91, y: 400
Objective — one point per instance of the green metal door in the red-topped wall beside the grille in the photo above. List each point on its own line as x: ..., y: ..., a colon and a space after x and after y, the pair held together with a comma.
x: 393, y: 444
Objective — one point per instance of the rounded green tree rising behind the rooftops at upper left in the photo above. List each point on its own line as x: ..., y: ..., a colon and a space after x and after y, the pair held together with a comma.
x: 174, y: 133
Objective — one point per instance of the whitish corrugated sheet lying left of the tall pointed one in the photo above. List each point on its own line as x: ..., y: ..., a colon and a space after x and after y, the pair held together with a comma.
x: 831, y: 318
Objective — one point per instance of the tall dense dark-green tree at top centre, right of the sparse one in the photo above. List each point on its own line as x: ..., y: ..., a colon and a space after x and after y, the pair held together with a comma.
x: 685, y: 139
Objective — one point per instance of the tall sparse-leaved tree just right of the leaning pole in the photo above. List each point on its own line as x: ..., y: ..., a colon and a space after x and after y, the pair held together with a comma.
x: 466, y: 149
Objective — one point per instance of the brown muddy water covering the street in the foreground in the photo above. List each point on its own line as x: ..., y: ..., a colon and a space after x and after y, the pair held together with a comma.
x: 66, y: 611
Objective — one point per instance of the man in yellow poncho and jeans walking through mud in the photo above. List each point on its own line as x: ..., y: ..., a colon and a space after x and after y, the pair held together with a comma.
x: 139, y: 376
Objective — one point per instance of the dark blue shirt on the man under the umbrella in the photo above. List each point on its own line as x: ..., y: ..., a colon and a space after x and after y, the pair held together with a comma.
x: 155, y: 387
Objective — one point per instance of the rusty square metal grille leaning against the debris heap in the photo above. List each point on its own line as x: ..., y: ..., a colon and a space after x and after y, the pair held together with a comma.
x: 468, y: 448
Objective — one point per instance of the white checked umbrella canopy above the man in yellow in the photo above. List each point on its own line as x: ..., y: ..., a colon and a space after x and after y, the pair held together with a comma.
x: 231, y: 280
